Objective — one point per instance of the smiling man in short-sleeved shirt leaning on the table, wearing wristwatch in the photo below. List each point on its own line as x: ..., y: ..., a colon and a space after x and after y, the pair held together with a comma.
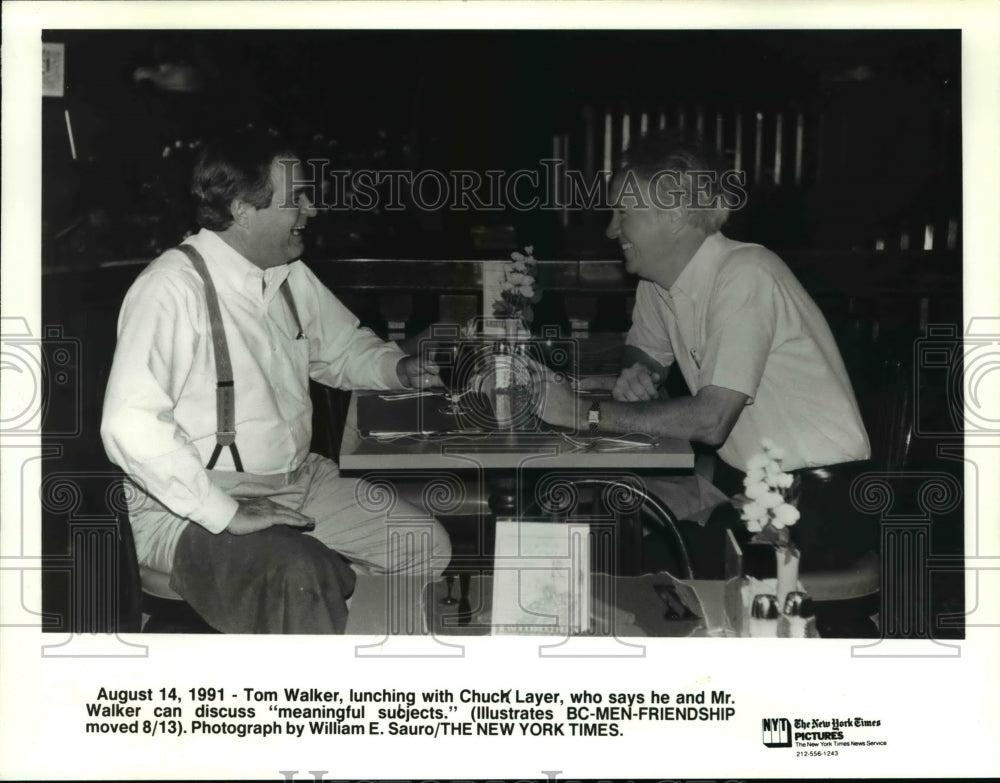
x: 756, y: 352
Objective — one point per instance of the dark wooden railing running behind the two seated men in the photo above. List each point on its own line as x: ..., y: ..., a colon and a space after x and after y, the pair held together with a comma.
x: 889, y: 289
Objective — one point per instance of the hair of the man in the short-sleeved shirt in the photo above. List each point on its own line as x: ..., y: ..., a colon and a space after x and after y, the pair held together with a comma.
x: 672, y: 155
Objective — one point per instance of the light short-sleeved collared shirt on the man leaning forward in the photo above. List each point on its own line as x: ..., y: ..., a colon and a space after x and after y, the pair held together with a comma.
x: 738, y: 318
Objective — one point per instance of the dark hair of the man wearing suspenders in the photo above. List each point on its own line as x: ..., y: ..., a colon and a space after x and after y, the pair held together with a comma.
x: 236, y: 166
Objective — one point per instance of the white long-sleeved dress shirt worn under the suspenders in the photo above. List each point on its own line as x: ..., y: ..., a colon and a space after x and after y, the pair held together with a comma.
x: 159, y: 420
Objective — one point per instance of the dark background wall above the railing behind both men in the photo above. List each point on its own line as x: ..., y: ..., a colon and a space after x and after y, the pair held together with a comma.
x: 880, y: 113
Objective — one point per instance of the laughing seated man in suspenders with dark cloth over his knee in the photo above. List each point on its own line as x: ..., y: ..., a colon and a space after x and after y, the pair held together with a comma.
x: 208, y: 411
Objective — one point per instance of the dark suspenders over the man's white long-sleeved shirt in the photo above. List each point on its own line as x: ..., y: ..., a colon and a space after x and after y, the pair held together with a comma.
x: 225, y: 393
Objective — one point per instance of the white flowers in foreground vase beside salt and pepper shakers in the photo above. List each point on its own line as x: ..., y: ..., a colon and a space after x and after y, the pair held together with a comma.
x: 767, y: 504
